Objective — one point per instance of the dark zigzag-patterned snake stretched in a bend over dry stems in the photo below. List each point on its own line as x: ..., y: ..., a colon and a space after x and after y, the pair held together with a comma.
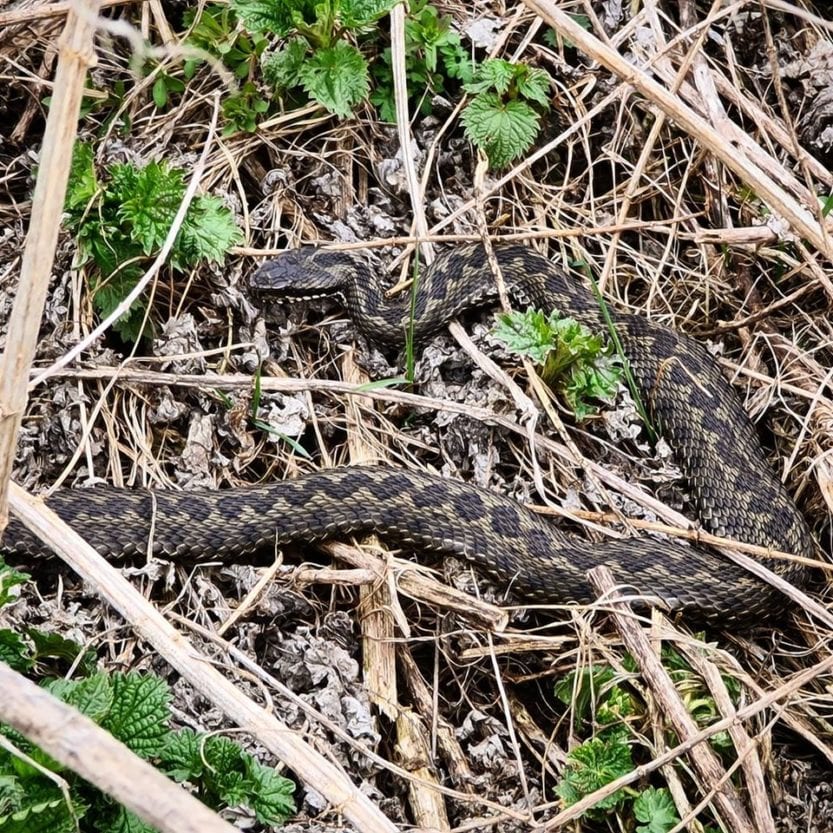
x: 733, y: 490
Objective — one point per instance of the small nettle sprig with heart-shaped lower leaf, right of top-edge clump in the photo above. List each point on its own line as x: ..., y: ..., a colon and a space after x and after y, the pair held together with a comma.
x: 501, y: 119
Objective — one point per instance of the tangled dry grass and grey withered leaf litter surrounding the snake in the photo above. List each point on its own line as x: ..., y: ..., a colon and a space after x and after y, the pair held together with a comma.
x: 669, y: 231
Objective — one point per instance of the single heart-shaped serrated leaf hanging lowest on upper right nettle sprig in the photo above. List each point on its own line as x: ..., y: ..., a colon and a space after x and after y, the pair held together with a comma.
x: 504, y: 130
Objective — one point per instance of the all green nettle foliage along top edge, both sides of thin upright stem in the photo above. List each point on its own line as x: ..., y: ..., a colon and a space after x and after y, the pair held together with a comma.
x: 323, y: 56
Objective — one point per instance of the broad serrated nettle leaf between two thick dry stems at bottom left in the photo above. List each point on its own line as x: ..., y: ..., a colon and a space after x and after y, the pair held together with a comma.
x: 139, y: 713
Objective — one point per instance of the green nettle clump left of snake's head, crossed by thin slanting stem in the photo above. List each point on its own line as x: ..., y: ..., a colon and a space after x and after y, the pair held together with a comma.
x: 121, y: 221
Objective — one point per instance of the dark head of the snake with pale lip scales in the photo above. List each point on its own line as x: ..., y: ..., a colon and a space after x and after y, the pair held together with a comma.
x: 300, y: 274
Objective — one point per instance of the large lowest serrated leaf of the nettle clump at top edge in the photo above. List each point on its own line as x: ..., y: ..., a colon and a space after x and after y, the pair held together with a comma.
x: 336, y: 77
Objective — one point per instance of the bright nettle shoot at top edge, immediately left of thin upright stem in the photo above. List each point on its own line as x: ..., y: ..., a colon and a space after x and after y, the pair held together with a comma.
x: 317, y: 57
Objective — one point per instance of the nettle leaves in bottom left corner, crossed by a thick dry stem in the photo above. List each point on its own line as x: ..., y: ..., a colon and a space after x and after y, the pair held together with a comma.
x: 134, y: 708
